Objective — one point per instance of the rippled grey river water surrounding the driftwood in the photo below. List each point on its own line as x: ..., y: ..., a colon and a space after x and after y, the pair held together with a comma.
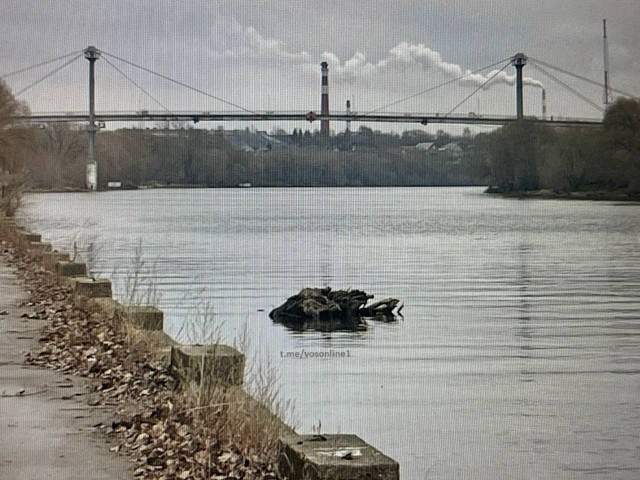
x: 519, y: 353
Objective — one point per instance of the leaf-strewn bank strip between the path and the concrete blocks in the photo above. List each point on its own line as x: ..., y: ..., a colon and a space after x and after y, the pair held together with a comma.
x: 165, y: 432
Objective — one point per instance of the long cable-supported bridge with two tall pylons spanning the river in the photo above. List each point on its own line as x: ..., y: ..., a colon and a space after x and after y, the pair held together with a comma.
x: 96, y: 120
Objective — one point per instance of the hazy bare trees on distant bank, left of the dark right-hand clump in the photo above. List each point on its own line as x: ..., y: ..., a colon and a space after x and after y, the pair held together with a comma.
x: 198, y: 157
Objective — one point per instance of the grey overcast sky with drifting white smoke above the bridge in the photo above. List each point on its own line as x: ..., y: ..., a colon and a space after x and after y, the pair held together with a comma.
x: 265, y: 55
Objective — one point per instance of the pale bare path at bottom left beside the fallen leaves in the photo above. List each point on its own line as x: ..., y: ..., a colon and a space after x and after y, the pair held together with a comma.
x: 46, y: 426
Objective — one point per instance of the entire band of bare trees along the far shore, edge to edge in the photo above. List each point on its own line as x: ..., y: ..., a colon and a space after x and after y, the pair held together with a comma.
x: 519, y: 157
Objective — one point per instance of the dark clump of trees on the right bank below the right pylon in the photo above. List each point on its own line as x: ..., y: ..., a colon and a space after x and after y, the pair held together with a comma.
x: 527, y: 156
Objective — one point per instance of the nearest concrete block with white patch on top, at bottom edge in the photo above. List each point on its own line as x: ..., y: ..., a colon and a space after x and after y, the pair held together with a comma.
x: 335, y: 457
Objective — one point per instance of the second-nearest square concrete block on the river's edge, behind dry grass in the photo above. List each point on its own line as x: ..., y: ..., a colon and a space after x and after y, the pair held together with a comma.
x: 216, y: 363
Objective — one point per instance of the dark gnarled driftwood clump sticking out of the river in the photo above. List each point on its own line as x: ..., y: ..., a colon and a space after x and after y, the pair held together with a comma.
x: 327, y: 309
